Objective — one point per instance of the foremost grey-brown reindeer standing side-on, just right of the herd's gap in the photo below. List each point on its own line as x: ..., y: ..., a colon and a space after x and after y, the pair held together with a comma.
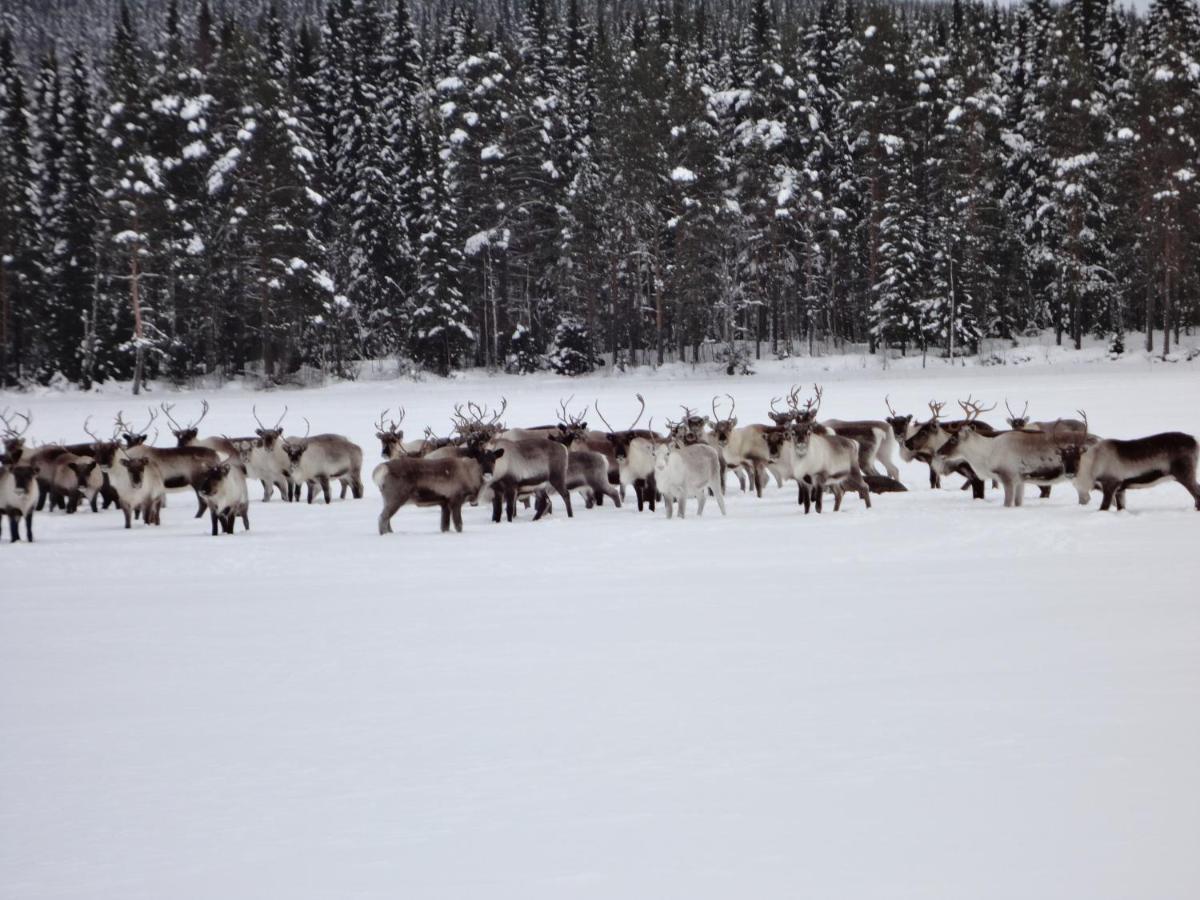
x: 446, y: 483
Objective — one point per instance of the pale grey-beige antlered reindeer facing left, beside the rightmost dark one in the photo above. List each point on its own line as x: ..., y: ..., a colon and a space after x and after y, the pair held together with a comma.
x: 1013, y: 458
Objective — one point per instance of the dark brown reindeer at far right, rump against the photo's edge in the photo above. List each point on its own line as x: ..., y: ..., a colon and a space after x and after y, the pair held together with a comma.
x: 1120, y: 466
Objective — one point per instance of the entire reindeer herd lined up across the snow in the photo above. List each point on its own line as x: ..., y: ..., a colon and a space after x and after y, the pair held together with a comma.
x: 484, y: 460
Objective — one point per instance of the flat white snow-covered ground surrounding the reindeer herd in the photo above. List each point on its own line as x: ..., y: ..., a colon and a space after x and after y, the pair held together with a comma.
x: 937, y: 698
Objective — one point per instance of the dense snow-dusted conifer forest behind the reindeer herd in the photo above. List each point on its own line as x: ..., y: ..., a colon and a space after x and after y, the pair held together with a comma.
x: 195, y: 190
